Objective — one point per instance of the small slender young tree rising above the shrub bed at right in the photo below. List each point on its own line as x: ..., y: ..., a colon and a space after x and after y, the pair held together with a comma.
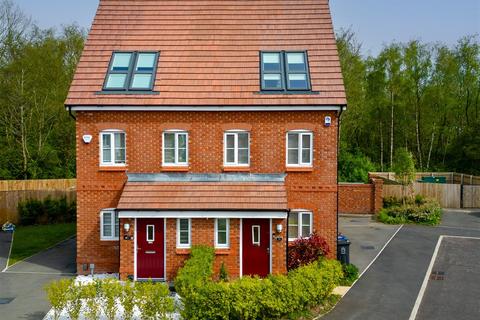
x: 404, y: 168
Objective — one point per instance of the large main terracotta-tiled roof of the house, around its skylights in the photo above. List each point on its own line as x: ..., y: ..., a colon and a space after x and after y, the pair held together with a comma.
x: 209, y: 50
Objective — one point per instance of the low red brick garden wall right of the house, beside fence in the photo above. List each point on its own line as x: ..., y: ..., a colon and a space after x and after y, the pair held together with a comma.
x: 360, y: 198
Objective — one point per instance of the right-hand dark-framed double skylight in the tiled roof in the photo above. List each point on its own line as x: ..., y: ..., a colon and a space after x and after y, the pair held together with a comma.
x: 284, y: 71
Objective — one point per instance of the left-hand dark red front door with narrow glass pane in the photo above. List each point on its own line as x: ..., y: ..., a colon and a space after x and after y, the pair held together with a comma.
x: 150, y: 253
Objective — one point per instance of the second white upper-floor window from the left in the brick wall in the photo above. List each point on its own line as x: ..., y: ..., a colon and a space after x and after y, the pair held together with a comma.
x: 175, y: 148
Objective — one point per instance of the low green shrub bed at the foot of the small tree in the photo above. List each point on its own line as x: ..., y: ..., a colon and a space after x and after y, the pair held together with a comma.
x: 418, y: 210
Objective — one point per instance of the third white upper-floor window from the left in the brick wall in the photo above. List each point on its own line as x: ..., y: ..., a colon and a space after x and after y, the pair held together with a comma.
x: 236, y: 148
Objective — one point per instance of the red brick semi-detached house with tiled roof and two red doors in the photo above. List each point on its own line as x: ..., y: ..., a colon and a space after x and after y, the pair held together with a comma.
x: 205, y: 122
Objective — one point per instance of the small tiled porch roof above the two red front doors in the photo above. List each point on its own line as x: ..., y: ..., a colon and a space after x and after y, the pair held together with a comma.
x: 203, y: 196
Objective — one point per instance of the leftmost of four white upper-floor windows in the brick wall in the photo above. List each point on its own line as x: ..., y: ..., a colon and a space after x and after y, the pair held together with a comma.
x: 112, y: 148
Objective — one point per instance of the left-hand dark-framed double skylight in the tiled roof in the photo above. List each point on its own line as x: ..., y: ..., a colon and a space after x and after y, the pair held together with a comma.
x: 131, y: 71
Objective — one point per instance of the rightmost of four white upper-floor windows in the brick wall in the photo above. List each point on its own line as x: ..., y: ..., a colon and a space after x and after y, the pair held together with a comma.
x: 299, y: 148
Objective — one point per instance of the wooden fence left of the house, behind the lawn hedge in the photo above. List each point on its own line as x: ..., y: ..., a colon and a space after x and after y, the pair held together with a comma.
x: 12, y: 192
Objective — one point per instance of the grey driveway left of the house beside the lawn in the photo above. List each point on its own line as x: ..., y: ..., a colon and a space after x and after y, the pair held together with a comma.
x: 22, y: 294
